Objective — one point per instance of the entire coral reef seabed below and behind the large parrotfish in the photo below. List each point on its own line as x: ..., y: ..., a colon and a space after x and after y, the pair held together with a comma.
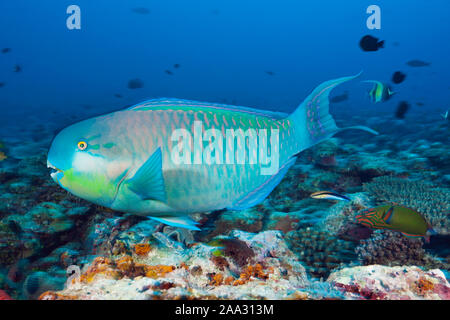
x: 282, y: 248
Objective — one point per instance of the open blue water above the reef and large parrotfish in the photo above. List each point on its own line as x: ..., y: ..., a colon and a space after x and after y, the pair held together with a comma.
x: 223, y: 48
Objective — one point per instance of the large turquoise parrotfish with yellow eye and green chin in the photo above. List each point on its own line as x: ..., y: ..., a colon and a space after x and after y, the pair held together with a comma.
x: 167, y: 158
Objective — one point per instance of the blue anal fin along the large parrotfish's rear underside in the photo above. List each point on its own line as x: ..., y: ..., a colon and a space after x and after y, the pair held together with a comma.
x: 258, y: 195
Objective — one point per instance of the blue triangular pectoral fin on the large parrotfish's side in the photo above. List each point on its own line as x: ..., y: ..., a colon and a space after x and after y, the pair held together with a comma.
x: 148, y: 181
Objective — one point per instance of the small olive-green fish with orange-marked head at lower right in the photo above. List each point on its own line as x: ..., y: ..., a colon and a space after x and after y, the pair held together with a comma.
x: 407, y: 221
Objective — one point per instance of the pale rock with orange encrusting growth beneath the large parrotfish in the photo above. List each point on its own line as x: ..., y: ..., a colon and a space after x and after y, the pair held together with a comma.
x: 273, y: 271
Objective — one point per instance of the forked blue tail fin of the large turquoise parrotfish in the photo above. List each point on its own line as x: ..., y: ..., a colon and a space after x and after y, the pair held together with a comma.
x: 312, y: 121
